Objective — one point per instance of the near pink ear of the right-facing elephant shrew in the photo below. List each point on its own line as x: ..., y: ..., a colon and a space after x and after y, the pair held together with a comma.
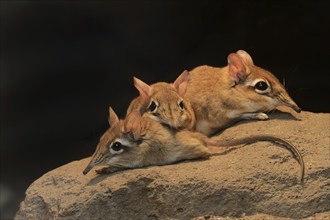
x: 237, y: 69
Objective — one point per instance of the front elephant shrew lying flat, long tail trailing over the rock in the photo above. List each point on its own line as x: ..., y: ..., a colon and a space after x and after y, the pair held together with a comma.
x: 146, y: 142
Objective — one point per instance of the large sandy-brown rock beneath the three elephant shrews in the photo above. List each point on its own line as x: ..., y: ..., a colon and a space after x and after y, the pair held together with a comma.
x: 253, y: 182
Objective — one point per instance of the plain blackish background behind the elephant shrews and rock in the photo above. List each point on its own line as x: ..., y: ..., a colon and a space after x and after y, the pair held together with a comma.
x: 63, y: 63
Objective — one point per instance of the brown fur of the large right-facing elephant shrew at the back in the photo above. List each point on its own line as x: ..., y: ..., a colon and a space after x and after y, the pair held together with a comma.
x: 221, y: 96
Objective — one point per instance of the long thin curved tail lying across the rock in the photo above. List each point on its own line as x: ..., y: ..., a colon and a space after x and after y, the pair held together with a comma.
x: 256, y: 138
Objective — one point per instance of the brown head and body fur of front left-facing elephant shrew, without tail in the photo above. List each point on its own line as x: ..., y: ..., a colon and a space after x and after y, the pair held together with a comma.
x: 150, y: 143
